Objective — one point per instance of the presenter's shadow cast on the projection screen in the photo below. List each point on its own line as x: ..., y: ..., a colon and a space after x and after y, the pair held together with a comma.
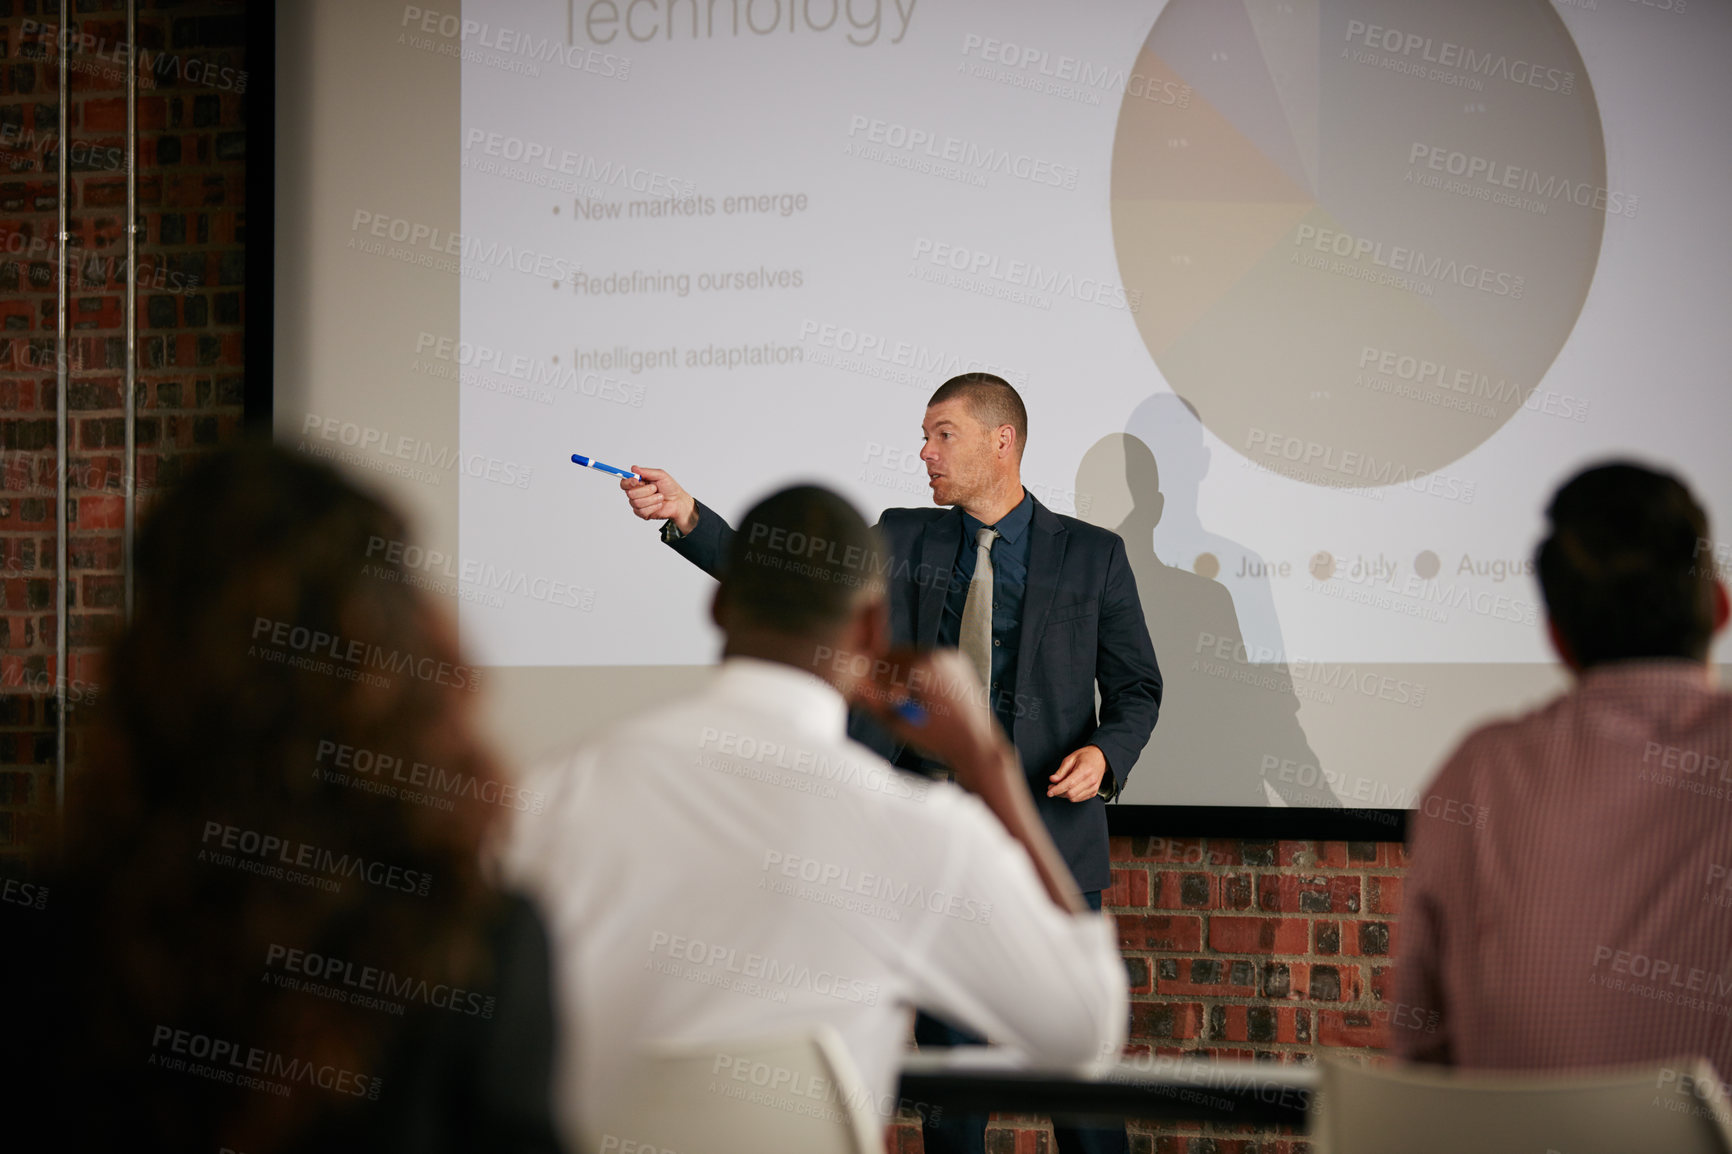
x: 1224, y: 718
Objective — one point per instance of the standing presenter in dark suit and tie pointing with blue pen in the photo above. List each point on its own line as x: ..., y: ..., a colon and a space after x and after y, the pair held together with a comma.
x: 1045, y: 606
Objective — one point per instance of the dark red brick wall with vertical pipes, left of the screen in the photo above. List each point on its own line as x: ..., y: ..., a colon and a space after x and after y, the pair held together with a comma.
x: 191, y: 308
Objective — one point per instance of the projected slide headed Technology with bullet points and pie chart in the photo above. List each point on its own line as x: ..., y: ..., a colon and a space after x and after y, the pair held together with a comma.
x: 1314, y: 302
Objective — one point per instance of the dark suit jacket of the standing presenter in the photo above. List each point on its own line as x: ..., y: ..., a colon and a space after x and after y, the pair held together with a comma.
x: 1082, y: 625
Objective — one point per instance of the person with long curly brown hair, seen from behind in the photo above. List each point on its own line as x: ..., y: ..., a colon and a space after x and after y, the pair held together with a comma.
x: 271, y: 926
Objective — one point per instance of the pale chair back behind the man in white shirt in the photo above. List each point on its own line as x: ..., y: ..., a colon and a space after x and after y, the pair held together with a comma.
x: 796, y: 1092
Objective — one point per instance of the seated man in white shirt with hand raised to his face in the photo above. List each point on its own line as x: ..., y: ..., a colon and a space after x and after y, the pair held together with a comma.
x: 730, y: 865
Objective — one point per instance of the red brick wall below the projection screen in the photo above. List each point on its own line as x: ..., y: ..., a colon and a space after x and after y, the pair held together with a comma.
x: 1244, y: 950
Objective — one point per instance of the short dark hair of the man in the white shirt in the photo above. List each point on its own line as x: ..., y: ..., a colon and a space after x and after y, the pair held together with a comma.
x: 799, y: 562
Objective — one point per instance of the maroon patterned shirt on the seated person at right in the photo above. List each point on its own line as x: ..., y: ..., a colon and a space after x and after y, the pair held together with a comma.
x: 1570, y: 898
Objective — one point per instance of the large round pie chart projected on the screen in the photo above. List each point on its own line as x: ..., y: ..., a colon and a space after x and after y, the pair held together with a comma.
x: 1359, y: 231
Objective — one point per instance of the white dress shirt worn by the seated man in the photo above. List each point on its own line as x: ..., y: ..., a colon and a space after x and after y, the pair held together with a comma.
x: 734, y: 867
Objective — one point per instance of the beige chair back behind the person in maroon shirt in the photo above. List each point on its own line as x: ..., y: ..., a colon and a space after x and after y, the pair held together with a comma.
x: 1677, y: 1106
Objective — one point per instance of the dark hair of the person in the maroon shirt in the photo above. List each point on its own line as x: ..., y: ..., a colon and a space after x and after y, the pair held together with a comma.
x: 1624, y: 567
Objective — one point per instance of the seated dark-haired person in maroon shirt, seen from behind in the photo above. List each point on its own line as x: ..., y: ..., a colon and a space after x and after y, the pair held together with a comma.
x: 1570, y: 897
